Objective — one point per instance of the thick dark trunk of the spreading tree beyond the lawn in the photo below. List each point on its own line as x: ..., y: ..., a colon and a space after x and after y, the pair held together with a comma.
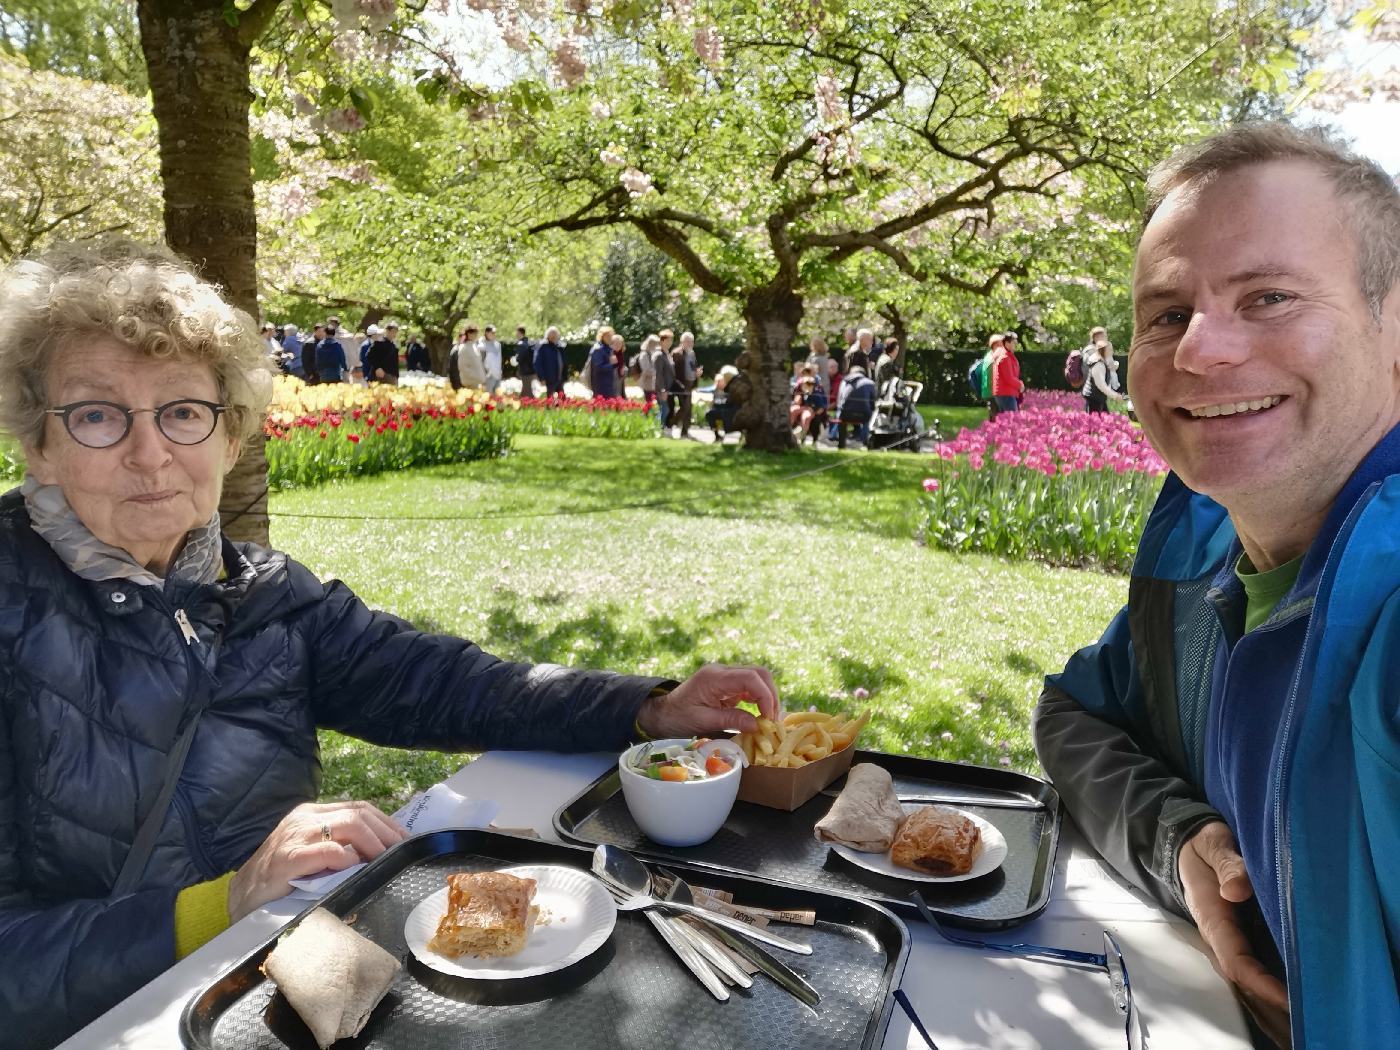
x: 771, y: 318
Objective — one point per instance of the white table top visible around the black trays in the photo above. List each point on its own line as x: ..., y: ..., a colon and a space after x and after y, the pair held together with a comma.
x: 967, y: 999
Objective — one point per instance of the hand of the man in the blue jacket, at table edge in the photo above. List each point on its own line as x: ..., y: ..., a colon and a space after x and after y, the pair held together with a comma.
x: 1214, y: 880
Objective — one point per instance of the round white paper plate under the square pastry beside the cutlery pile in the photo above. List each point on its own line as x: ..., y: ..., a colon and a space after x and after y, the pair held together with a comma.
x: 576, y: 916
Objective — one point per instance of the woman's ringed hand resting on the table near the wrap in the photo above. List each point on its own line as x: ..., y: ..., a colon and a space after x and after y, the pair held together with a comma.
x: 313, y: 838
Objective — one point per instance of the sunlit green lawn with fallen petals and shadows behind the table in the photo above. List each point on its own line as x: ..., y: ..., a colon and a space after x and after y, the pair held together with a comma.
x: 737, y: 559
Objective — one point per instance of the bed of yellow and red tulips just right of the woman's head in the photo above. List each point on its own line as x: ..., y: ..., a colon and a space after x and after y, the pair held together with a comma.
x: 337, y: 430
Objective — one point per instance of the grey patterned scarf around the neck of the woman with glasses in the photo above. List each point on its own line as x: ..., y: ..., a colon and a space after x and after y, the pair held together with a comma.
x: 51, y: 516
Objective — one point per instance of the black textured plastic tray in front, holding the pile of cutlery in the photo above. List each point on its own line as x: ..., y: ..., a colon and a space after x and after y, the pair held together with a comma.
x: 631, y: 993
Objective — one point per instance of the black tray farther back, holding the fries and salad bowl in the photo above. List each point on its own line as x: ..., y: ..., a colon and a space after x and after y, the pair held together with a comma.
x: 780, y: 846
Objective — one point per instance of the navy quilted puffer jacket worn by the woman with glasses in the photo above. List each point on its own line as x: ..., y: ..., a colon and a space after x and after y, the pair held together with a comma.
x: 96, y: 680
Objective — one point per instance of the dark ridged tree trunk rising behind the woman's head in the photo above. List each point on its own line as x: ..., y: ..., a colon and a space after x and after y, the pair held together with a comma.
x: 198, y: 69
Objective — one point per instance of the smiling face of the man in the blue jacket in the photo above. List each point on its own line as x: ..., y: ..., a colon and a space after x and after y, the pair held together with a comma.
x: 1256, y: 366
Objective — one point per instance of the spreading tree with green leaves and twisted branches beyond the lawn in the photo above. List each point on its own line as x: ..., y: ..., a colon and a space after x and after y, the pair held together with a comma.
x: 766, y: 148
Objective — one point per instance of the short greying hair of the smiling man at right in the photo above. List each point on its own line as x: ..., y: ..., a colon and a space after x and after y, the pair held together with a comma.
x: 1368, y: 195
